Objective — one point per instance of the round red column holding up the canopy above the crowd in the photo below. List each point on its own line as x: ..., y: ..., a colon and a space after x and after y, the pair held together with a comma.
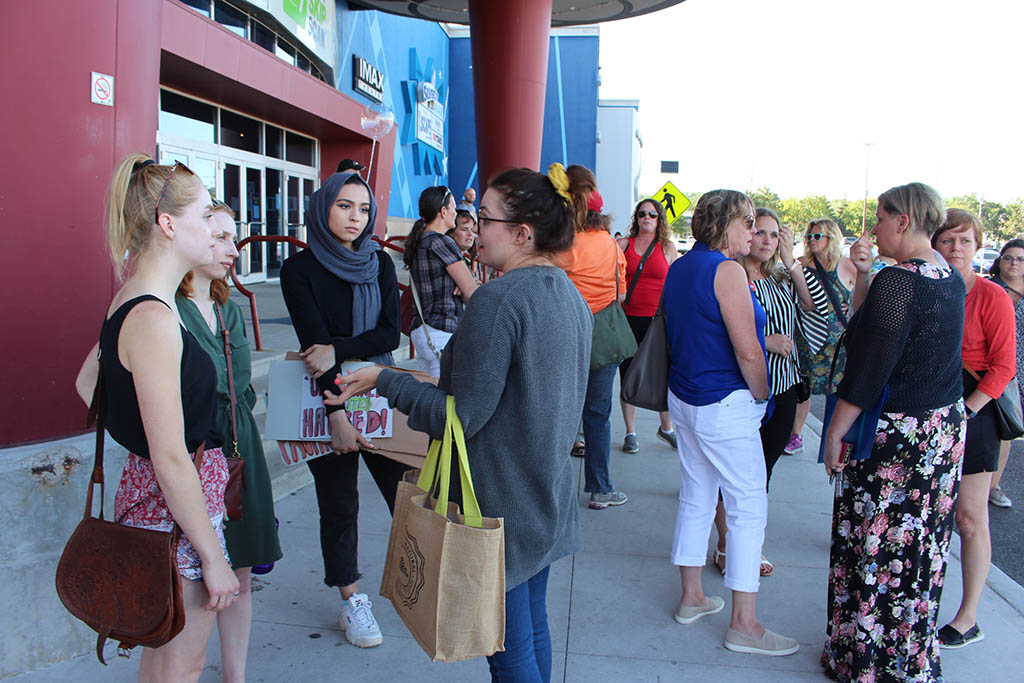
x: 510, y: 71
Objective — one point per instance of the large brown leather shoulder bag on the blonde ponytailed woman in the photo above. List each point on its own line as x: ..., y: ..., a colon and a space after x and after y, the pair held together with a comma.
x: 122, y: 581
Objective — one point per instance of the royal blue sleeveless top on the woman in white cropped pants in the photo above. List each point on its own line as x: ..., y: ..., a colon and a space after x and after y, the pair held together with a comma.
x: 703, y: 364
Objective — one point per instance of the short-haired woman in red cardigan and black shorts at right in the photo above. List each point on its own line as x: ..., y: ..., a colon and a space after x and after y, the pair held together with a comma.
x: 990, y: 351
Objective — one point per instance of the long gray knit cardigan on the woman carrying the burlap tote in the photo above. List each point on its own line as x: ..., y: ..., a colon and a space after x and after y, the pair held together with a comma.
x: 518, y: 366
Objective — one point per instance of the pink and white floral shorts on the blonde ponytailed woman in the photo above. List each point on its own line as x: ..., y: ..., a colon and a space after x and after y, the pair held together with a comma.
x: 141, y: 503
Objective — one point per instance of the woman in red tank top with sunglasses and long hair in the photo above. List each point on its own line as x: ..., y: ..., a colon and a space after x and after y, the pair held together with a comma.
x: 649, y: 230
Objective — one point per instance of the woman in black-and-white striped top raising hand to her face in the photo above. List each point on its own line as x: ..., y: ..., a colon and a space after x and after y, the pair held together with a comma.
x: 780, y: 291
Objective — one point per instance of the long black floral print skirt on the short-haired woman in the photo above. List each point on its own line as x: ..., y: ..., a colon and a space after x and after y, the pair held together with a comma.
x: 891, y: 529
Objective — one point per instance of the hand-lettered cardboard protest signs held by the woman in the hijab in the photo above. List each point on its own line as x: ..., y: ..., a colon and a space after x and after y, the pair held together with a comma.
x: 297, y: 420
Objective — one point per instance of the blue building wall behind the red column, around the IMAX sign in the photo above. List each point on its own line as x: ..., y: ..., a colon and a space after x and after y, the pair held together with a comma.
x: 409, y: 51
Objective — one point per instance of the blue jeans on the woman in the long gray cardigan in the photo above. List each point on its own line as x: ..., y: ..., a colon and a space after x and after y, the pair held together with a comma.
x: 528, y: 642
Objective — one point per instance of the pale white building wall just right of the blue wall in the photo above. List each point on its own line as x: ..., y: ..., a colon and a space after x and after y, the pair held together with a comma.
x: 619, y: 159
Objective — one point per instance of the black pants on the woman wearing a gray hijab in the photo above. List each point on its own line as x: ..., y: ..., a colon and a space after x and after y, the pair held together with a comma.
x: 338, y: 498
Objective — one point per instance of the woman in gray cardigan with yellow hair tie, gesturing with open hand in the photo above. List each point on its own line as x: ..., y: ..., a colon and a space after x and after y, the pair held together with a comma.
x: 518, y: 366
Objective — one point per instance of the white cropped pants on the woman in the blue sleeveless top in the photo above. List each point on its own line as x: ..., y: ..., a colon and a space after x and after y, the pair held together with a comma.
x: 720, y: 450
